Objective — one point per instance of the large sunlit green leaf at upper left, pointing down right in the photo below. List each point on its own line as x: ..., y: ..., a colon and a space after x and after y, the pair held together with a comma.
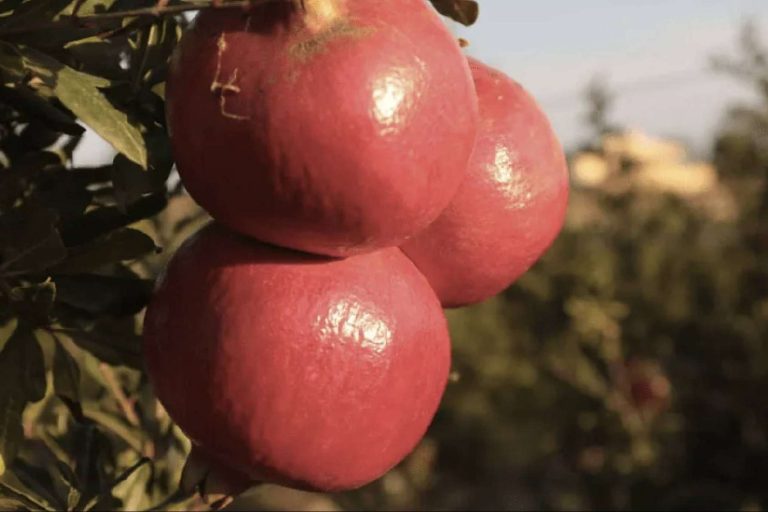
x: 80, y: 93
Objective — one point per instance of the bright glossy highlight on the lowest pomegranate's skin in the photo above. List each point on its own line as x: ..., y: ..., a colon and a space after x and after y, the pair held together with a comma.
x: 352, y: 321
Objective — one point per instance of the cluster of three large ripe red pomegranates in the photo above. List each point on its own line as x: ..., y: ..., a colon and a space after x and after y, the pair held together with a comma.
x: 362, y: 174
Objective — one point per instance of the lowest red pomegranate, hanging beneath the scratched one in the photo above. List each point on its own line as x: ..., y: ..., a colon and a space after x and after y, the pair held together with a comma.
x: 302, y: 370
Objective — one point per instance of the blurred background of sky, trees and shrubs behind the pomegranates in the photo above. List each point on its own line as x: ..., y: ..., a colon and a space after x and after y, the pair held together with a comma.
x: 627, y: 370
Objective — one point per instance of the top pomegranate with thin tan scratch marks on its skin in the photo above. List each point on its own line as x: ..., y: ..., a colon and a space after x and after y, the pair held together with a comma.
x: 335, y: 141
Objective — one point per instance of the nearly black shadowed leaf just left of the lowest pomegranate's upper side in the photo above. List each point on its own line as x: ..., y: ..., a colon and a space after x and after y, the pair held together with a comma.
x: 103, y: 295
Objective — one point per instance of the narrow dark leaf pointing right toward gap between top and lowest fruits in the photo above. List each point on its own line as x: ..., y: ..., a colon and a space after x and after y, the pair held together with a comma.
x: 121, y: 245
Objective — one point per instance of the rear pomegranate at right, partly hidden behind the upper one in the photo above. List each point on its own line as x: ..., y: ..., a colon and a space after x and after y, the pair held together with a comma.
x: 511, y: 205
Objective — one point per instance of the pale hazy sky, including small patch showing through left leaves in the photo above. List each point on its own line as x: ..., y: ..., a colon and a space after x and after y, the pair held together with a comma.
x: 653, y: 53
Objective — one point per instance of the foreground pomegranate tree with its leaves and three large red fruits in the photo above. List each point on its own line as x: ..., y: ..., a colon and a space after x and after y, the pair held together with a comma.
x: 252, y: 291
